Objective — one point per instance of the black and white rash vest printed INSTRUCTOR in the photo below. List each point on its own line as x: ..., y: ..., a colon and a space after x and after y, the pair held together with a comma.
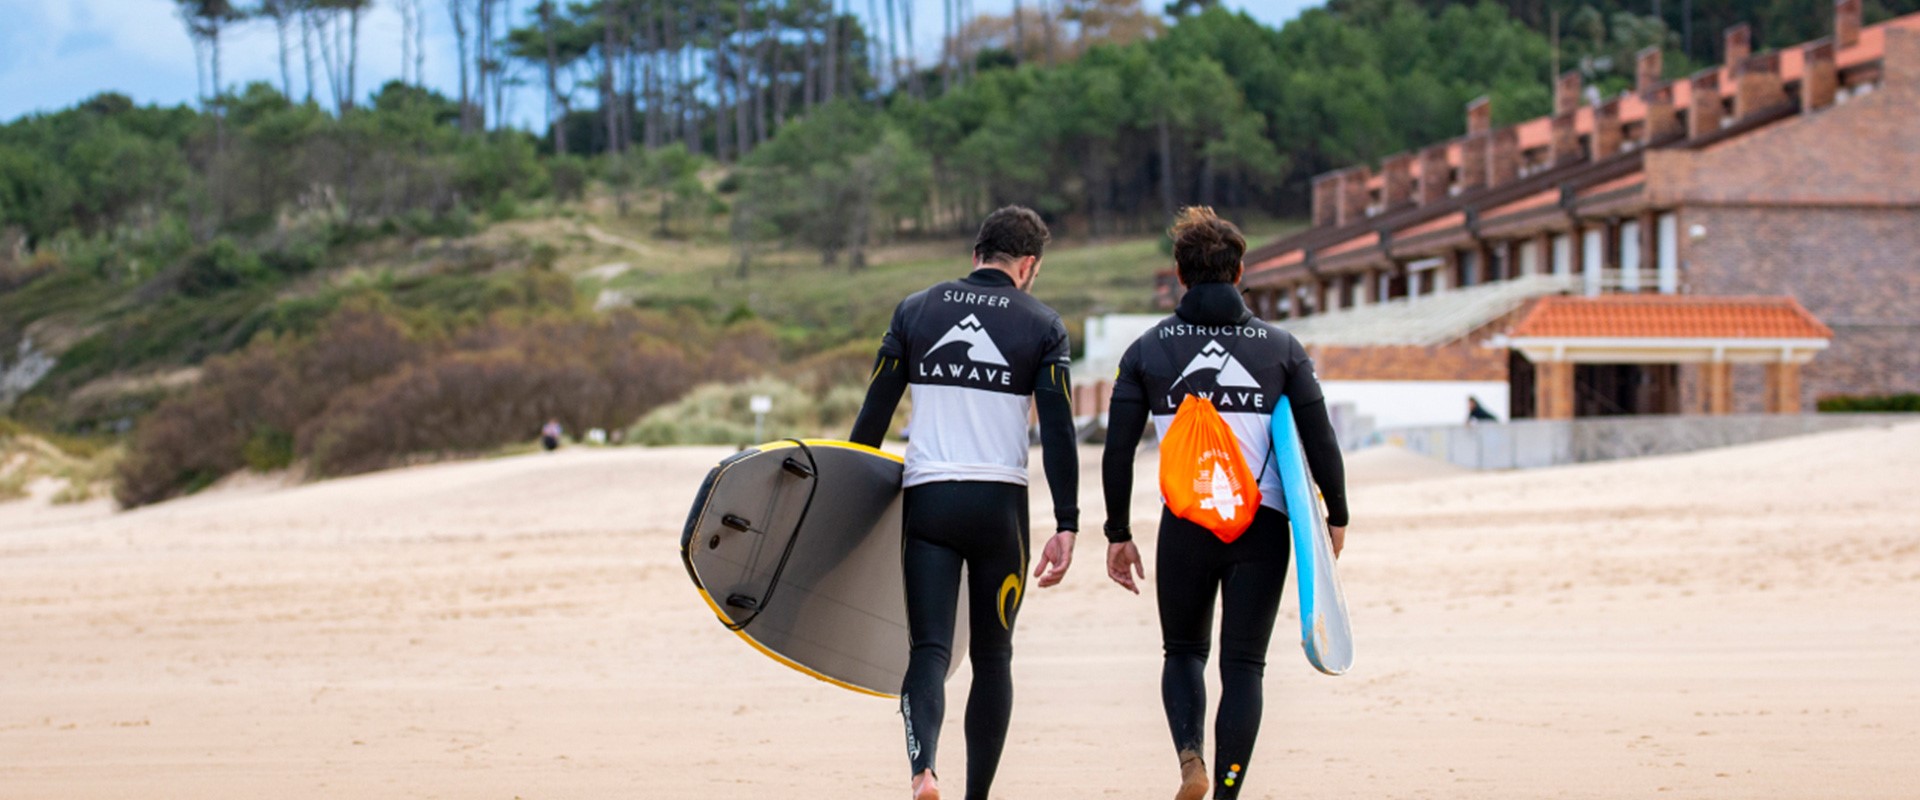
x: 1237, y: 362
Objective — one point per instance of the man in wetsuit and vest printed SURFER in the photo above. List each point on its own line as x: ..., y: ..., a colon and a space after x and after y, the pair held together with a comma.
x: 978, y: 354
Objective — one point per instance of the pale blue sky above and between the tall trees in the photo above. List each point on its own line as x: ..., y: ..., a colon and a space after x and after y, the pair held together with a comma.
x: 59, y: 53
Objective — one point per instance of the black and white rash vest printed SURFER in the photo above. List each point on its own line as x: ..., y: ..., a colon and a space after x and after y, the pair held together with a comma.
x: 974, y: 352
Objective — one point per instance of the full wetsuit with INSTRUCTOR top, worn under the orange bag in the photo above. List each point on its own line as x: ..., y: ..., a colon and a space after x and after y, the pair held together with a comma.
x: 1214, y: 346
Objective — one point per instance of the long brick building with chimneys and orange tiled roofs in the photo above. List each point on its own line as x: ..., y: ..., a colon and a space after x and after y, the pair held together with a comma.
x: 1746, y: 239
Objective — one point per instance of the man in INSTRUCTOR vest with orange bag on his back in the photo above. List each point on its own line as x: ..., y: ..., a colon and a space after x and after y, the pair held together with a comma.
x: 1236, y: 369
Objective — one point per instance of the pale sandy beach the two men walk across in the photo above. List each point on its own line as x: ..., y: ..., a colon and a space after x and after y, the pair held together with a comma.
x: 1727, y: 624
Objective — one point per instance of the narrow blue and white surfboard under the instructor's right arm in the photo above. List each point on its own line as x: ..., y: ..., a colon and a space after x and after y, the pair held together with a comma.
x: 1326, y: 632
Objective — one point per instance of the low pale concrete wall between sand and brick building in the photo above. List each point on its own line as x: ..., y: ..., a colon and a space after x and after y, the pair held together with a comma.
x: 1531, y: 444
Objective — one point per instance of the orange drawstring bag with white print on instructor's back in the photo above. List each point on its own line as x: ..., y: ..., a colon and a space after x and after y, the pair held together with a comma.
x: 1203, y: 475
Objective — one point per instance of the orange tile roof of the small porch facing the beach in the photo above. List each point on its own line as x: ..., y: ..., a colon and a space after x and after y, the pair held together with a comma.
x: 1671, y: 318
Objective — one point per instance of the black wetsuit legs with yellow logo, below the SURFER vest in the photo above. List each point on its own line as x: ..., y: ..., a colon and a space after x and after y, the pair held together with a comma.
x: 986, y: 529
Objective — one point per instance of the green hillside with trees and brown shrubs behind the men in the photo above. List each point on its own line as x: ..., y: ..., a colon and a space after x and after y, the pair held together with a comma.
x: 299, y: 270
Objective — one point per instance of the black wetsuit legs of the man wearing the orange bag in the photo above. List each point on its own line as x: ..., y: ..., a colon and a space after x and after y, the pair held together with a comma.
x: 1249, y: 576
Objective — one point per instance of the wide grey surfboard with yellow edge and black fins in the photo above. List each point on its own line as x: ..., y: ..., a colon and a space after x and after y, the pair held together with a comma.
x: 796, y: 548
